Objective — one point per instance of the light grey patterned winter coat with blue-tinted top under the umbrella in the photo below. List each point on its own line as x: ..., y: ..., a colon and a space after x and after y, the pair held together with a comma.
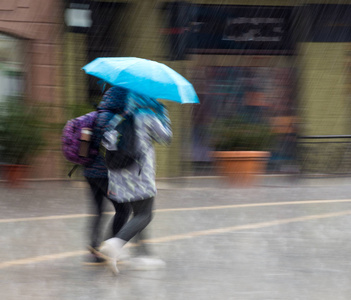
x: 137, y: 182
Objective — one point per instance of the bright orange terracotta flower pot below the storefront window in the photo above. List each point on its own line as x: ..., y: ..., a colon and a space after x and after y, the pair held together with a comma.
x: 241, y: 167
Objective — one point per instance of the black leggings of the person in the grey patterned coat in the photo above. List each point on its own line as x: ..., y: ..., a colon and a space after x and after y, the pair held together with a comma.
x: 142, y: 215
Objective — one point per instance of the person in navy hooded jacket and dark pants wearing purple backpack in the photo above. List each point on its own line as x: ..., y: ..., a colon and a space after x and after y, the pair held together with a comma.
x: 96, y: 174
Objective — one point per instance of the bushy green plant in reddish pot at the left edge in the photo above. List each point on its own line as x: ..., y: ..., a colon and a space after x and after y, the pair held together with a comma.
x: 21, y: 137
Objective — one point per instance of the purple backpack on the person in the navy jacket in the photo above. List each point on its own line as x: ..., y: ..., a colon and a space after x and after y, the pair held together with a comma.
x: 71, y: 135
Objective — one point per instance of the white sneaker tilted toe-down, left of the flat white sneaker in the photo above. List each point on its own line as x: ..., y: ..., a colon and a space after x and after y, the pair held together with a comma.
x: 111, y: 250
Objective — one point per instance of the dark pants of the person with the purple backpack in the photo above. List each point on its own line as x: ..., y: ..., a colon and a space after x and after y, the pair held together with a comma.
x: 98, y: 187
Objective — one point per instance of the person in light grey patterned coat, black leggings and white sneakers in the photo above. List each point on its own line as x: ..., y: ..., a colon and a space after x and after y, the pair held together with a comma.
x: 135, y: 185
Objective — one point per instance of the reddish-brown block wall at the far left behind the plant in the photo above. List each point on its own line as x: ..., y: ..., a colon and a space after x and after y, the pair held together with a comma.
x: 39, y: 23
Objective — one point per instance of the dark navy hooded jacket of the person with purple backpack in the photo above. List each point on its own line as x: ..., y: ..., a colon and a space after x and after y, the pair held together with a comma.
x: 113, y: 102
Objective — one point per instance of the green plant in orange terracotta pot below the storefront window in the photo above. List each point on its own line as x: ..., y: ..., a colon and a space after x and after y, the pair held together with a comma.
x: 241, y: 149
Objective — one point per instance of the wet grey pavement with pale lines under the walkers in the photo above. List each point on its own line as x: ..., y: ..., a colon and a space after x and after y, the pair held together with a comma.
x: 281, y: 239
